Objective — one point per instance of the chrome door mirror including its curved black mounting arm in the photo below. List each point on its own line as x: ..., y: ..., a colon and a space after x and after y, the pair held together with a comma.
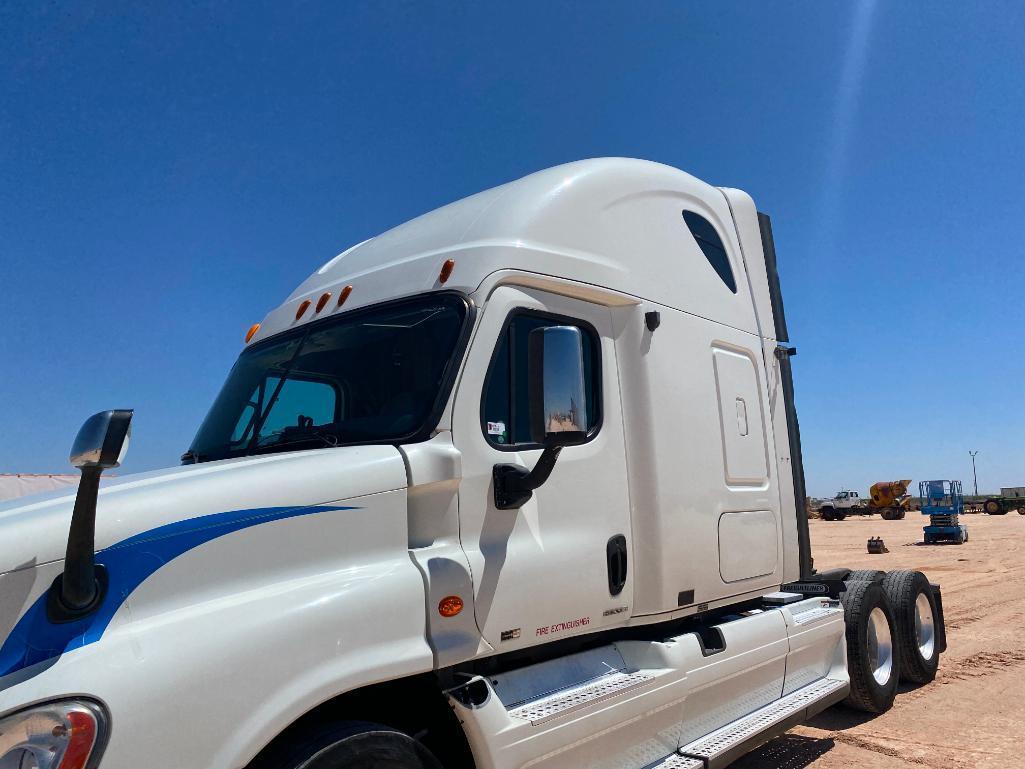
x: 558, y: 411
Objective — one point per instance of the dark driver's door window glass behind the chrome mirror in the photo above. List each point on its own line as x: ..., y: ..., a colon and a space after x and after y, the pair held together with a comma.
x: 506, y: 403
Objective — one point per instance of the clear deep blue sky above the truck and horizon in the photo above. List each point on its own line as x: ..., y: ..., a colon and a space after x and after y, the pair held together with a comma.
x: 170, y: 175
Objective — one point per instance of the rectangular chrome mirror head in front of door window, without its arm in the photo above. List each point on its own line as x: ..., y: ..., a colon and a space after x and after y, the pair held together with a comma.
x: 557, y: 391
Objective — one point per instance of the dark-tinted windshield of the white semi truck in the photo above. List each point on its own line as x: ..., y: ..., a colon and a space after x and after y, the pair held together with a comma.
x: 372, y: 376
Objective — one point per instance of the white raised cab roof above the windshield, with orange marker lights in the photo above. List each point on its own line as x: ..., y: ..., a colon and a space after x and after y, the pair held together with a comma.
x: 613, y: 223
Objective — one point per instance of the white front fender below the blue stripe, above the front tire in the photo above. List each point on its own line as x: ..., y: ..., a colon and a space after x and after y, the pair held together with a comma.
x: 244, y: 633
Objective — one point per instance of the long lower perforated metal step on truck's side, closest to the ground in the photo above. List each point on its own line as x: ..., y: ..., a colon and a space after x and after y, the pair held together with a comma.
x: 716, y: 748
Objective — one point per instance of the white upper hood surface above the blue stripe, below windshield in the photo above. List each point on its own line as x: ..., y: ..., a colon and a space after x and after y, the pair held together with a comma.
x: 34, y: 530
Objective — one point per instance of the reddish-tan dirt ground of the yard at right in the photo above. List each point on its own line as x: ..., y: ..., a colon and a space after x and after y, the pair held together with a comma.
x: 974, y: 714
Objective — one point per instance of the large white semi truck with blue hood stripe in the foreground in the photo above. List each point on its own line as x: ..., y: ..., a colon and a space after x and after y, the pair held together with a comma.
x: 517, y: 483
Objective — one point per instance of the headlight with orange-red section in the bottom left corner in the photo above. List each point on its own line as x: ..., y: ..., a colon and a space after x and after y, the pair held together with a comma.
x: 57, y: 736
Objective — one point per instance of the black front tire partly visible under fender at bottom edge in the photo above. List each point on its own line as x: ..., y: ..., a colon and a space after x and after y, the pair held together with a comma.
x: 349, y: 746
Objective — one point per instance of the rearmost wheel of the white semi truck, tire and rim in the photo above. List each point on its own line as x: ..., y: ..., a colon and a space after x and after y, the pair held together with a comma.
x: 915, y: 608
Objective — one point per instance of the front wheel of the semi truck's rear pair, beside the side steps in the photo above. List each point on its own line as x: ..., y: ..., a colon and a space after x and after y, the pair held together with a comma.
x: 874, y: 668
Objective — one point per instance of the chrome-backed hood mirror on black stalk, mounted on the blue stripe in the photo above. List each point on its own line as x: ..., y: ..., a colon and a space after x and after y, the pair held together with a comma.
x: 101, y: 444
